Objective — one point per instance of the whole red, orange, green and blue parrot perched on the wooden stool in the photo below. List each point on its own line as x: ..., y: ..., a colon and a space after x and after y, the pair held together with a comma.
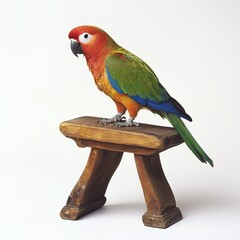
x: 130, y: 83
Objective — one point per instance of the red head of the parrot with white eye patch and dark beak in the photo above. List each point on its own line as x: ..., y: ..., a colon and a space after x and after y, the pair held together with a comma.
x: 91, y: 41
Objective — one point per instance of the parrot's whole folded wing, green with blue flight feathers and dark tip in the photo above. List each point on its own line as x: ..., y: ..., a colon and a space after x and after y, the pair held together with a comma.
x: 128, y: 74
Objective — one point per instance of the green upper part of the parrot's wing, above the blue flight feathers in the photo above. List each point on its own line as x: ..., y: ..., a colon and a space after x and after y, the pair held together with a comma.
x: 130, y: 75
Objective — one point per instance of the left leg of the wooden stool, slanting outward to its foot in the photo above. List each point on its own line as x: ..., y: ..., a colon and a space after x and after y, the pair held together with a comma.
x: 88, y: 193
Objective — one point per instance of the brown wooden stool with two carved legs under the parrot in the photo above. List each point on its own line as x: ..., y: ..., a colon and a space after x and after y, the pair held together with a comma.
x: 108, y: 144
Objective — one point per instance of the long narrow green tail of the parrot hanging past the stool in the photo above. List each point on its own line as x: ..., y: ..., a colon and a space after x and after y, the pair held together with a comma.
x: 187, y: 137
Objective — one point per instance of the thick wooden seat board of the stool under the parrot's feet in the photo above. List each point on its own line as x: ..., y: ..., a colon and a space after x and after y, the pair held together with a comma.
x: 145, y: 136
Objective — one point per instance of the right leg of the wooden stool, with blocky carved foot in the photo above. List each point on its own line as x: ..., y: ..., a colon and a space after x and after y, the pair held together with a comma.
x: 161, y: 206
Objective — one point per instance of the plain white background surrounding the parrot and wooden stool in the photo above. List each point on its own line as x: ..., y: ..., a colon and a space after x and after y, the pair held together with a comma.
x: 193, y: 46
